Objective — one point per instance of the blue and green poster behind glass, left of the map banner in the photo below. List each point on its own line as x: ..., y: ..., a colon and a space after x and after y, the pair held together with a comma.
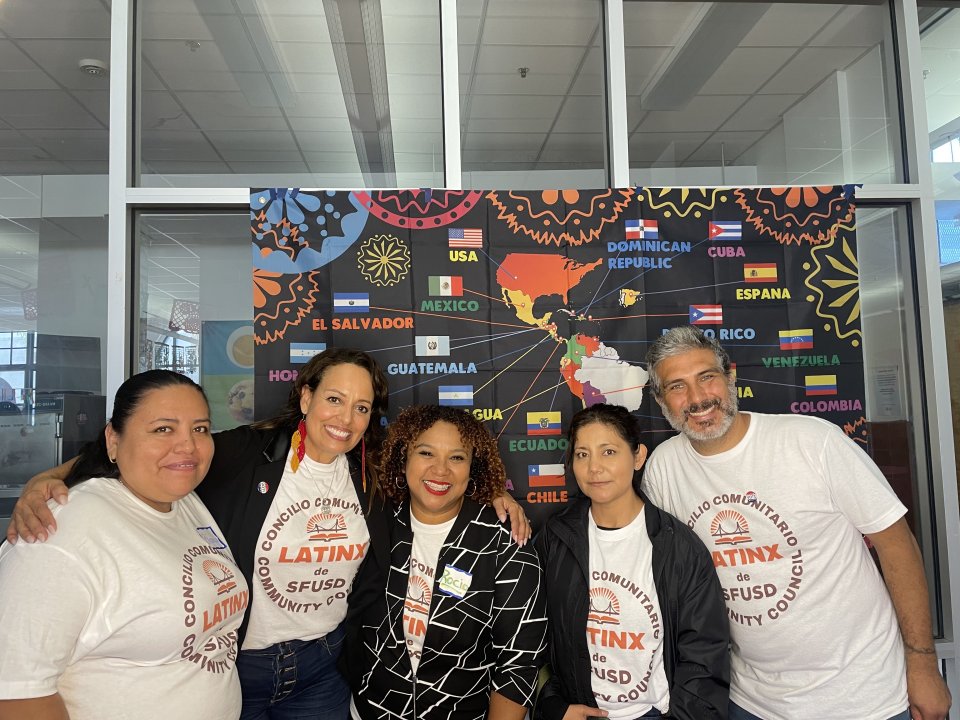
x: 226, y: 371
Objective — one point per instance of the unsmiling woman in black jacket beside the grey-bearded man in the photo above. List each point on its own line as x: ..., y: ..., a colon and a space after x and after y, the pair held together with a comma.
x: 637, y: 624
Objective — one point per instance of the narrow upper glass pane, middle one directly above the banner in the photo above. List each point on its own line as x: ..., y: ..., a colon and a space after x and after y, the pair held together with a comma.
x: 532, y: 94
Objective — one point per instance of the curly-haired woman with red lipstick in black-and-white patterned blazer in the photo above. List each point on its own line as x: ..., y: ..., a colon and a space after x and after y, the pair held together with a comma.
x: 459, y: 631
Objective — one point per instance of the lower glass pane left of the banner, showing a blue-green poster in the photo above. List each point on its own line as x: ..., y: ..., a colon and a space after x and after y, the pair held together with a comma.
x: 196, y: 305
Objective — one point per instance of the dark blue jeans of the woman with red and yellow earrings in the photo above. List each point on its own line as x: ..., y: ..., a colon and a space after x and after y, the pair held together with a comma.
x: 294, y: 680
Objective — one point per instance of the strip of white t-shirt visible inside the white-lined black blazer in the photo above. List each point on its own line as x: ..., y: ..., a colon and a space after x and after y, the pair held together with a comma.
x: 425, y: 552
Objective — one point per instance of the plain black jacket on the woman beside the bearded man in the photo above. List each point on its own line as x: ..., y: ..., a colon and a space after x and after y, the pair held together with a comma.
x: 696, y: 632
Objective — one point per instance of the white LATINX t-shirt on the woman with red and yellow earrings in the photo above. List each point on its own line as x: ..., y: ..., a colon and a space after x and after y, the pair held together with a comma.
x: 308, y: 553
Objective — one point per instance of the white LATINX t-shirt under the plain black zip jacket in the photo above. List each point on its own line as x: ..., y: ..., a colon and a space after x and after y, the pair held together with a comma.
x: 624, y: 627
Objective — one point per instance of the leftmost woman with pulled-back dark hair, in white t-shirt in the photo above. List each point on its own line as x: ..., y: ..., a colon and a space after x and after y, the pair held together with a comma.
x: 132, y: 609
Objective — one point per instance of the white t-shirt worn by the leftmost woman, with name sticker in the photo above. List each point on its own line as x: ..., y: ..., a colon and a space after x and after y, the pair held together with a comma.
x: 126, y: 612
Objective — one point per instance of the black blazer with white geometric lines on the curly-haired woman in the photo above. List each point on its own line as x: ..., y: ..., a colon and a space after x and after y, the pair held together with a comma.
x: 491, y: 639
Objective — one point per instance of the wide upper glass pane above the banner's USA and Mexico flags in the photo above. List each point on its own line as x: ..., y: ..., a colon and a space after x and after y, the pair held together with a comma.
x: 293, y: 93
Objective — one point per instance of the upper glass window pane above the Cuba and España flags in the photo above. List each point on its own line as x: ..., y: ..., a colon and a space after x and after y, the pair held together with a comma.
x: 761, y: 93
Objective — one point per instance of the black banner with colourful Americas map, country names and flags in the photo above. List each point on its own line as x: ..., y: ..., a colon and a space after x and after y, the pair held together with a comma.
x: 525, y: 306
